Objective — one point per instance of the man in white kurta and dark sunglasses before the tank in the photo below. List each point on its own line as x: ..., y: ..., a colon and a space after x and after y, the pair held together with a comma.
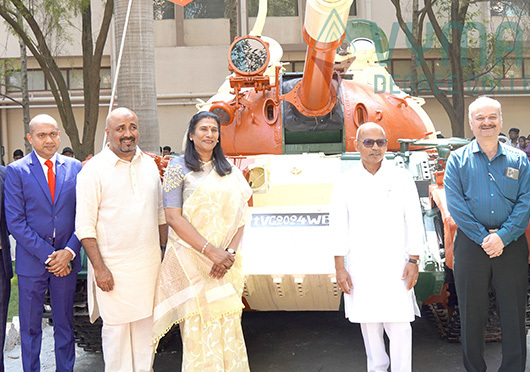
x: 377, y: 225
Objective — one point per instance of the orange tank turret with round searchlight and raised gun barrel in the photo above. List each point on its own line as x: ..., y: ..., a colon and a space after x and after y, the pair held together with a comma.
x: 267, y: 111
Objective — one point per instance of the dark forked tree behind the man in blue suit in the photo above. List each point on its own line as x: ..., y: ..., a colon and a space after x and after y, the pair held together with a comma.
x: 46, y: 18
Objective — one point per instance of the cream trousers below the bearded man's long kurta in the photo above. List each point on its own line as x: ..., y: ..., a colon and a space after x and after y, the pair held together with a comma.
x: 126, y: 347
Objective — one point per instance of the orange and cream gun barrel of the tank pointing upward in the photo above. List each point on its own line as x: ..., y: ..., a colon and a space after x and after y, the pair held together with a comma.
x: 324, y: 27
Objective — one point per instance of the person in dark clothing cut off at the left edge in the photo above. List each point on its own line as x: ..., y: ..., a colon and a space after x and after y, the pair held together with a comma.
x: 6, y: 269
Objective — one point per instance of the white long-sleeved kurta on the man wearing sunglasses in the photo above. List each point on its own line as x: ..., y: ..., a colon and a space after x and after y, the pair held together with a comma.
x: 376, y: 223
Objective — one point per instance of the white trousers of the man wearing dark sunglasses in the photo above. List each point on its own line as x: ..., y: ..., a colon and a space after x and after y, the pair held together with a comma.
x: 400, y: 336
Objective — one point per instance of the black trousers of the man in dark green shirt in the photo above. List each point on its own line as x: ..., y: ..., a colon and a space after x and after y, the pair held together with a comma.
x: 507, y: 275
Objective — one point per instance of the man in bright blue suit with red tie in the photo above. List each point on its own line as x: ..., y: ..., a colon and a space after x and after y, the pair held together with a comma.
x: 40, y: 214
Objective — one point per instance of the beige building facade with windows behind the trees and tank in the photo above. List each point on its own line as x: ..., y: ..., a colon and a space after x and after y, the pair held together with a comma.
x: 191, y: 45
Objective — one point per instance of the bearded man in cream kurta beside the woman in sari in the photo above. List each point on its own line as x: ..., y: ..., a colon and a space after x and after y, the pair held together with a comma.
x: 119, y: 212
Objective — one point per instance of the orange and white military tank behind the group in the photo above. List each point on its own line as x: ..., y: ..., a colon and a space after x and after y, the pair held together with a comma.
x: 292, y: 135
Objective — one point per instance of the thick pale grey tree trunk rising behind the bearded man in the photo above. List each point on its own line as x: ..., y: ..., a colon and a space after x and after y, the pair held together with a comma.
x: 136, y: 80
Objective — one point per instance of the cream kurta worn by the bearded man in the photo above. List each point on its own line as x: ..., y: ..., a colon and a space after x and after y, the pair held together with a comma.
x: 119, y: 203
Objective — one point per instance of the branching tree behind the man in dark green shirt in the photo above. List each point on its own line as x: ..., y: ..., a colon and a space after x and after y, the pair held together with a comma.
x: 452, y: 38
